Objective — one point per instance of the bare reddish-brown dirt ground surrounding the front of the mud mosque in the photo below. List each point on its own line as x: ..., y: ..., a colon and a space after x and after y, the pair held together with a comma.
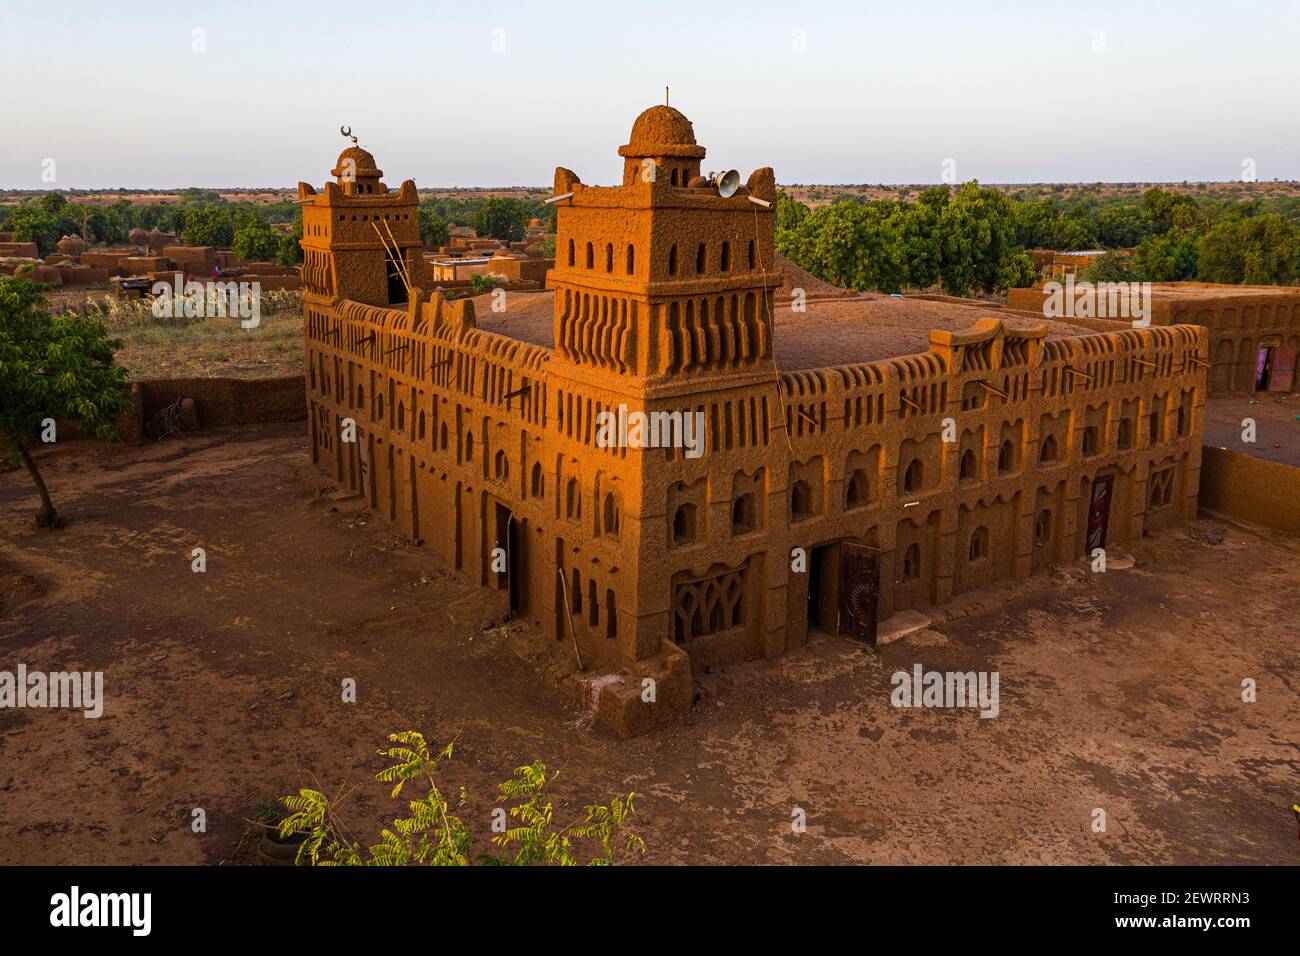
x: 1120, y: 691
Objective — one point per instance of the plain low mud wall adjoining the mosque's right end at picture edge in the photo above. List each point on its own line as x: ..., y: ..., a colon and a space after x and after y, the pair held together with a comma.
x: 1251, y: 490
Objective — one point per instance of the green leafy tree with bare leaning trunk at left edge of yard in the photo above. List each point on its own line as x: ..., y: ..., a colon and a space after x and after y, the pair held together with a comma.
x: 53, y: 369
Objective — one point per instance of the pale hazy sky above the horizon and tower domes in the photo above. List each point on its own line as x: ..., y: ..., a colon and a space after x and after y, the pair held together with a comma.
x: 499, y: 94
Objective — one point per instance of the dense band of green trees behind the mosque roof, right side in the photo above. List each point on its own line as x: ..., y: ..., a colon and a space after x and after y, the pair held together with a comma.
x: 976, y: 240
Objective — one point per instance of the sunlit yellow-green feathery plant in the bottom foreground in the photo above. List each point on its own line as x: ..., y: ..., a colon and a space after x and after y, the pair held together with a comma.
x: 434, y: 836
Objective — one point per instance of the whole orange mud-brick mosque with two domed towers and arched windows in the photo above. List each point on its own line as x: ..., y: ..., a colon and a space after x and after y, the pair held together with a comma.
x: 868, y: 475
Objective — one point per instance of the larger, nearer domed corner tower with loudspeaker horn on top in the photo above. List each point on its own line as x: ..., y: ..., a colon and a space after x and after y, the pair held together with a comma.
x: 662, y: 278
